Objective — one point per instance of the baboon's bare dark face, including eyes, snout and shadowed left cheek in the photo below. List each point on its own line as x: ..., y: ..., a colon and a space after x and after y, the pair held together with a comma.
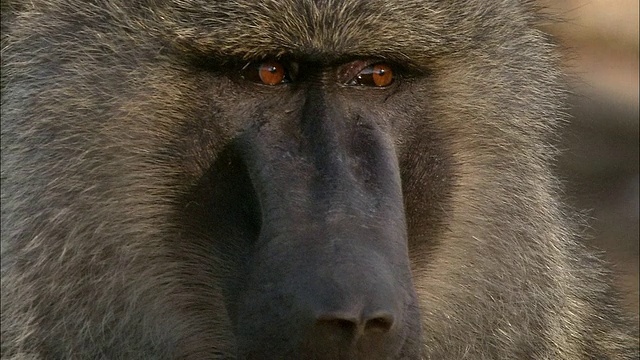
x: 325, y: 272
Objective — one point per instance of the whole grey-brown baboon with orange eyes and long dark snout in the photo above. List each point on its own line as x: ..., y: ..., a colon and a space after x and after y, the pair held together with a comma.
x: 290, y: 179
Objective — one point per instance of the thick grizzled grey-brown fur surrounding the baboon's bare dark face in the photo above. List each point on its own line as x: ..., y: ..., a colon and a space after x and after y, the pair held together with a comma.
x: 98, y: 112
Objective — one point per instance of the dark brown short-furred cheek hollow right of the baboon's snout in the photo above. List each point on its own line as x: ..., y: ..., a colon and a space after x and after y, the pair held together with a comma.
x: 427, y: 164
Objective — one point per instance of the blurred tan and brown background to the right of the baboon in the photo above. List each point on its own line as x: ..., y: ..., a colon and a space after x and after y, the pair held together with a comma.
x: 599, y: 39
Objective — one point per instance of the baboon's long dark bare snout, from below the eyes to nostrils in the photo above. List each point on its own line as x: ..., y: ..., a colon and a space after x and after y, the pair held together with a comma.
x: 329, y: 275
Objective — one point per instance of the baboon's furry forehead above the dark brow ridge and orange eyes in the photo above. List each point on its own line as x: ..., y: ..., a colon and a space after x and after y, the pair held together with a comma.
x: 322, y: 29
